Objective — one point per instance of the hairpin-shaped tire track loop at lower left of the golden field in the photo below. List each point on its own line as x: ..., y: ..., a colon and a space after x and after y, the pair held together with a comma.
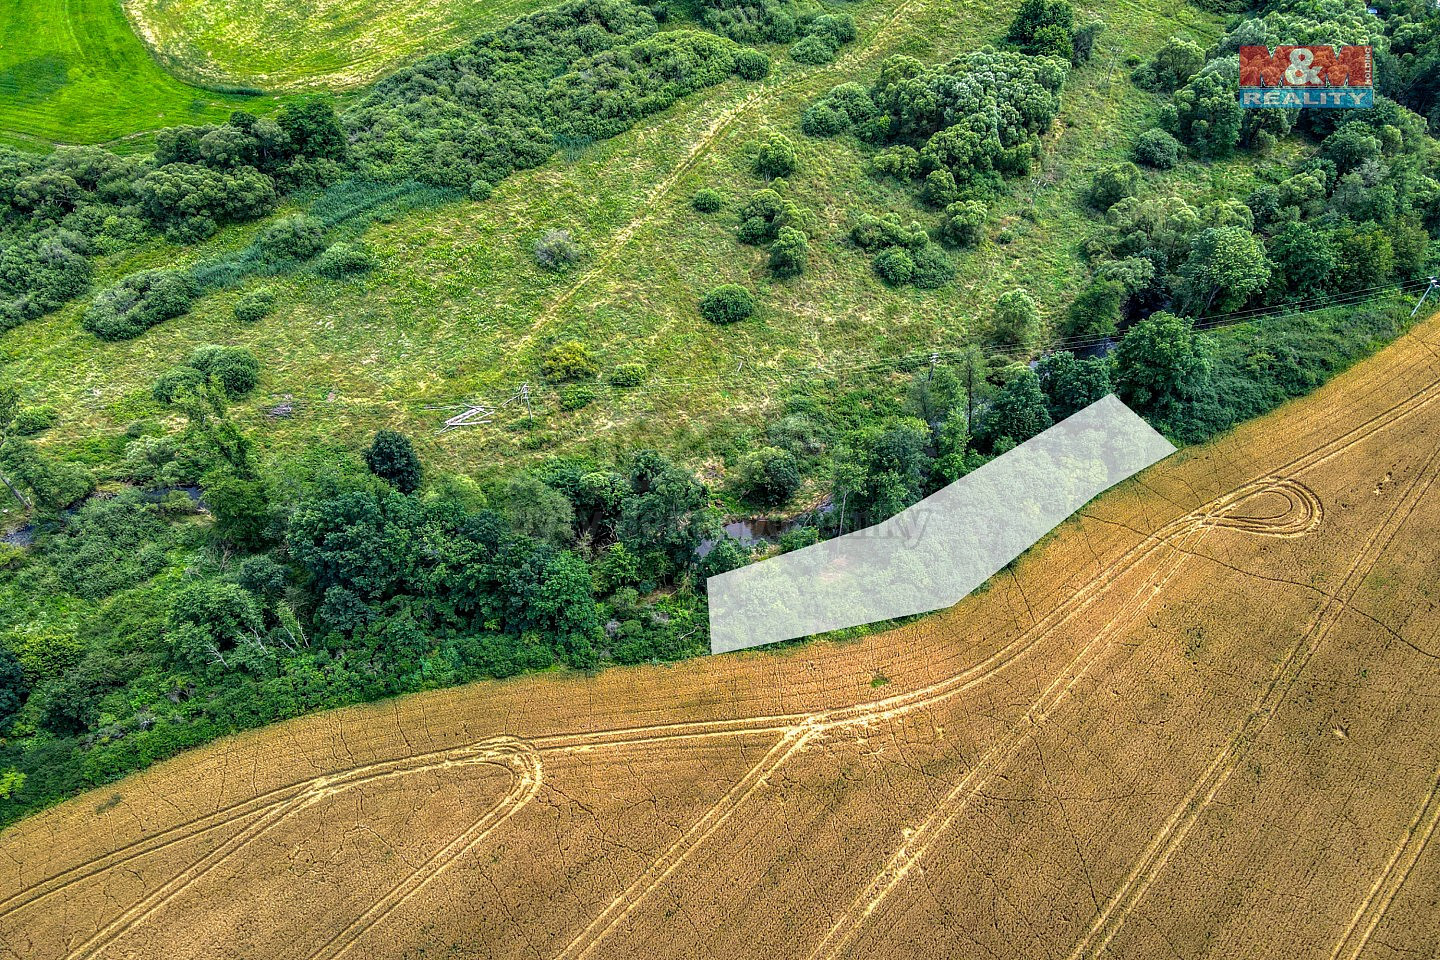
x: 503, y: 751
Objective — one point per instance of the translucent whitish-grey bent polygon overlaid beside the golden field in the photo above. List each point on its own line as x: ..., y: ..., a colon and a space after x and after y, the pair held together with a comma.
x: 934, y: 553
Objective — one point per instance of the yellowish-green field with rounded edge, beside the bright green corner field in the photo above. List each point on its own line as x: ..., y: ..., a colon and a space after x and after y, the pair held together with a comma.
x: 309, y: 44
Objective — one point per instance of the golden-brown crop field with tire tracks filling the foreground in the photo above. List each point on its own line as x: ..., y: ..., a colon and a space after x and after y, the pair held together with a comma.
x: 1199, y: 722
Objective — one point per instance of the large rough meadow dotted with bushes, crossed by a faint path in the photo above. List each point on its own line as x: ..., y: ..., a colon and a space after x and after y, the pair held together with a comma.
x: 459, y: 310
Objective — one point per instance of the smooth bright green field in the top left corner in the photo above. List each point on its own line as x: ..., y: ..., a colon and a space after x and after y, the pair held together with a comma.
x: 73, y: 71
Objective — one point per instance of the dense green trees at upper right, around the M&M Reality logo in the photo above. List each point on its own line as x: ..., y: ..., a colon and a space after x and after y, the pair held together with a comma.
x: 1359, y: 211
